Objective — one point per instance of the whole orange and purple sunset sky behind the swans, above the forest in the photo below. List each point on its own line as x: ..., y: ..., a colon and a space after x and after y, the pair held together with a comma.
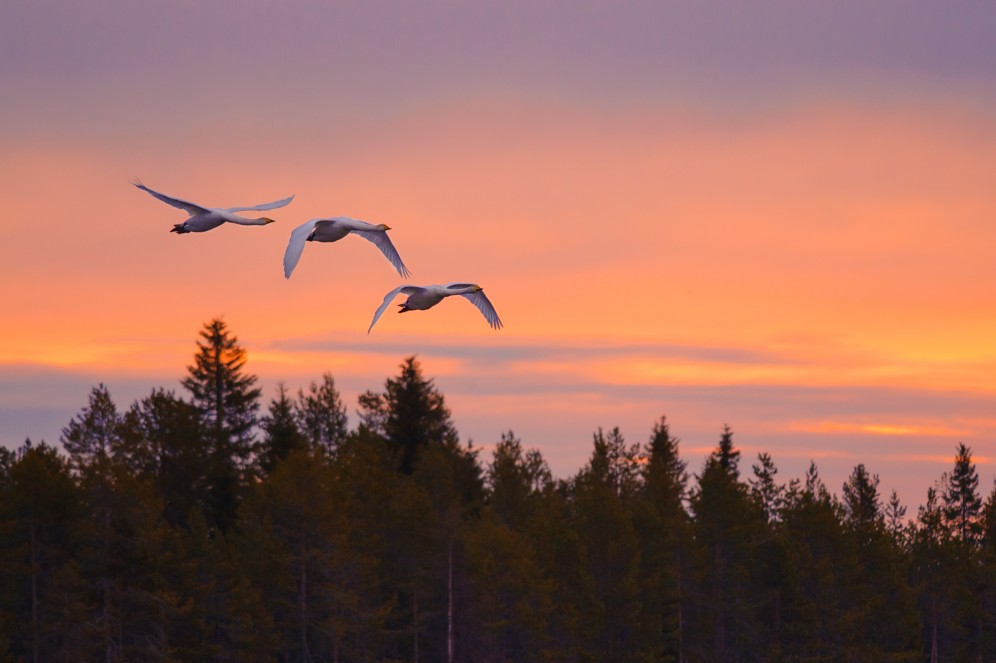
x: 779, y: 216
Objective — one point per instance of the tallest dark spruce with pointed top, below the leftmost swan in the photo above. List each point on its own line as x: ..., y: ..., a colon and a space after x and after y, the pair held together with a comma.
x: 228, y: 399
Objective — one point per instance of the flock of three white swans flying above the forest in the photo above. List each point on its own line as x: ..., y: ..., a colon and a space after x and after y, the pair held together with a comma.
x: 201, y: 219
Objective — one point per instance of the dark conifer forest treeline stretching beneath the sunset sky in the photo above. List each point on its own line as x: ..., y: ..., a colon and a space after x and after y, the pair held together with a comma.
x: 196, y: 529
